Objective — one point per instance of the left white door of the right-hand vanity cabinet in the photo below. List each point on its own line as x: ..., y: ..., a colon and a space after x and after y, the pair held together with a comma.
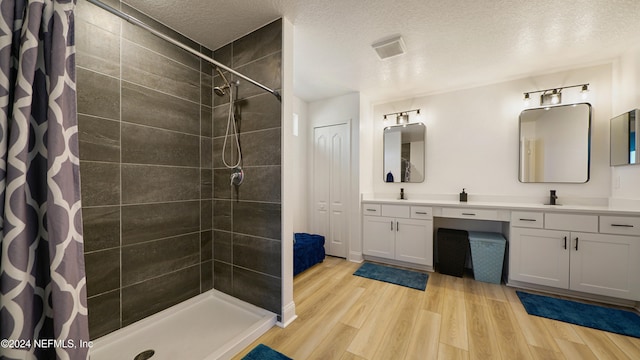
x: 539, y: 257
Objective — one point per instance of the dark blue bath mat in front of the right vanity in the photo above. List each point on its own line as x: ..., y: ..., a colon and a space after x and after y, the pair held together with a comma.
x: 593, y: 316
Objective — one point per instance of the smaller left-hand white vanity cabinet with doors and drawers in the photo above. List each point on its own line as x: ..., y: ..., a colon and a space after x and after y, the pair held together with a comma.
x: 398, y: 232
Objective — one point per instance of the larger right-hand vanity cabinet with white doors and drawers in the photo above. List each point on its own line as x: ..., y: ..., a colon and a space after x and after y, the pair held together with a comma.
x: 572, y: 251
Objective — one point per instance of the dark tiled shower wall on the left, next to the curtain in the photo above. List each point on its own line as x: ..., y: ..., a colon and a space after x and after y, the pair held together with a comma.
x: 145, y: 121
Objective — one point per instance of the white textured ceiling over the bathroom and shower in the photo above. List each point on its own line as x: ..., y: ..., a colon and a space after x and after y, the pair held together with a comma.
x: 450, y: 44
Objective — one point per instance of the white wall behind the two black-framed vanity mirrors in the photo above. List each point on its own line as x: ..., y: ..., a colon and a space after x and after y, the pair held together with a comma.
x: 472, y: 140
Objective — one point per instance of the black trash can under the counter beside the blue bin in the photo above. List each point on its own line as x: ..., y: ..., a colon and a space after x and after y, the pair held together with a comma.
x: 453, y: 246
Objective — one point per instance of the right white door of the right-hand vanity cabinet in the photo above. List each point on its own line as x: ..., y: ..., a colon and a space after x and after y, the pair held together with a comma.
x: 606, y: 265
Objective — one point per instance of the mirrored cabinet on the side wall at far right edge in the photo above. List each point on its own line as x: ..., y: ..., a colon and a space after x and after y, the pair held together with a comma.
x: 624, y: 138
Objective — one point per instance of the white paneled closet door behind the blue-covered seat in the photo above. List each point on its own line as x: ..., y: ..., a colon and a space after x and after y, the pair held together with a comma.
x: 331, y: 187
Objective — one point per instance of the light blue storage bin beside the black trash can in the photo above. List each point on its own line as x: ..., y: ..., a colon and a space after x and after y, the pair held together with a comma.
x: 487, y: 255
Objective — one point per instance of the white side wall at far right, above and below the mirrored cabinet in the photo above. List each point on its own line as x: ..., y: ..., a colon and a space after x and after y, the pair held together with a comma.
x: 626, y: 79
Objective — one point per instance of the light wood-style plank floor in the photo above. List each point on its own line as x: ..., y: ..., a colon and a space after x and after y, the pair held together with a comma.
x: 341, y: 316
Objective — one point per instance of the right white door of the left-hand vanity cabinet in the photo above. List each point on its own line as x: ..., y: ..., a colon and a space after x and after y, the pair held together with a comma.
x: 414, y: 241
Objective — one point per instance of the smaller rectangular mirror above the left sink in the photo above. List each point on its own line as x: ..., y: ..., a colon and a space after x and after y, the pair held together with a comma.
x: 404, y: 153
